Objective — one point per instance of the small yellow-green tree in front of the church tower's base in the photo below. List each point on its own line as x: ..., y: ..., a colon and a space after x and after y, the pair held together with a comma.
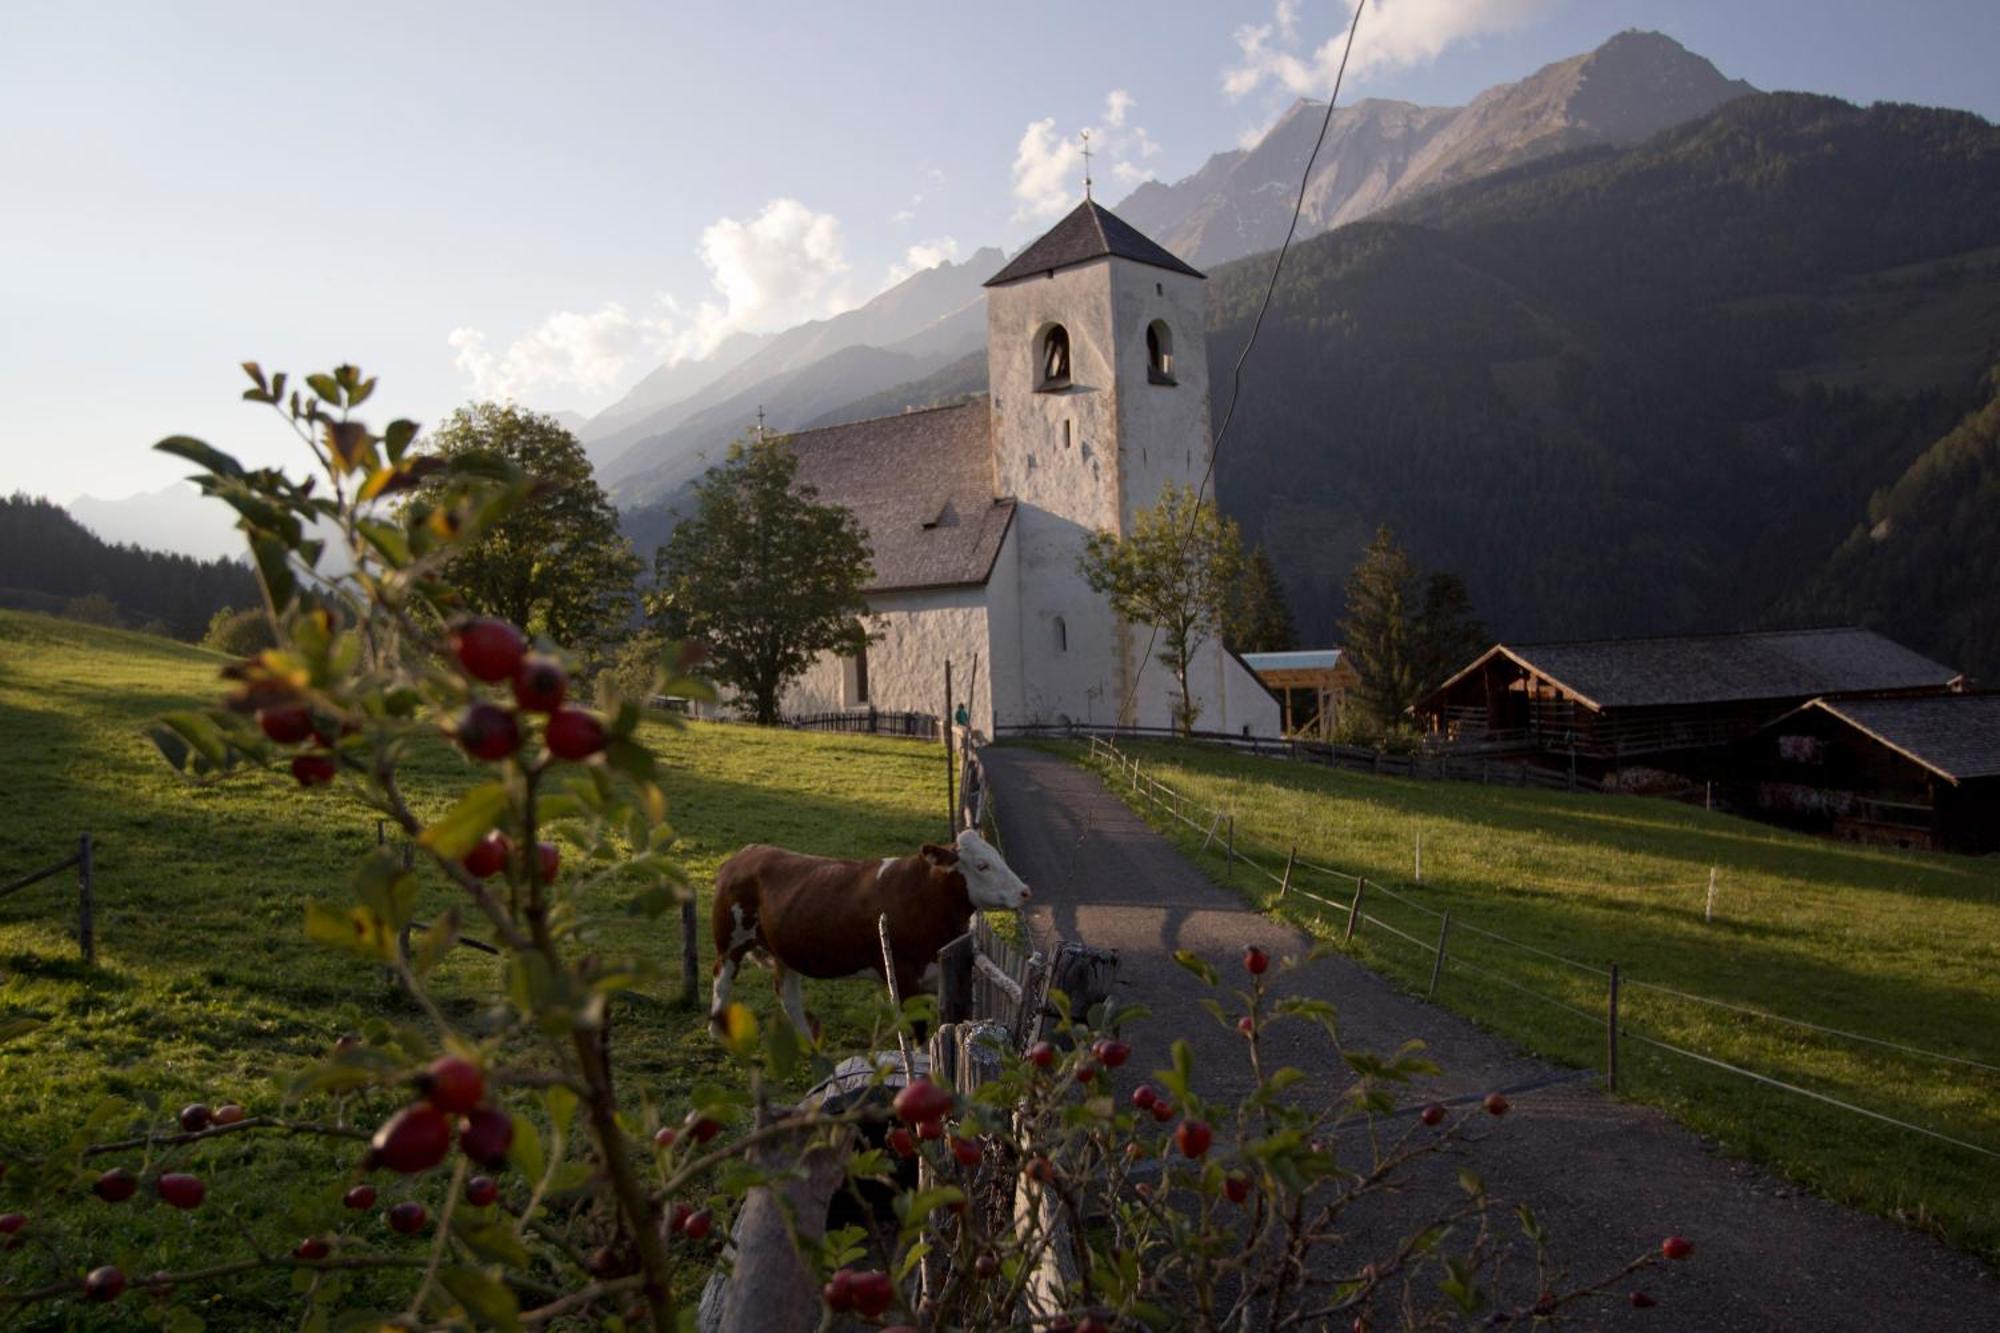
x: 1175, y: 573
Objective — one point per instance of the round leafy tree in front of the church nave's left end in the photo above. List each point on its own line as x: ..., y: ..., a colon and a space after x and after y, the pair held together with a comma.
x: 763, y: 575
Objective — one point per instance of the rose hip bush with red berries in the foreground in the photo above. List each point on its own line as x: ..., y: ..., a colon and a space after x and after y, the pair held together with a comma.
x: 497, y: 1174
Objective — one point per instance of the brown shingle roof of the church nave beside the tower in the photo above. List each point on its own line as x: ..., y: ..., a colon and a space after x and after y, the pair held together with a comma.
x: 923, y: 487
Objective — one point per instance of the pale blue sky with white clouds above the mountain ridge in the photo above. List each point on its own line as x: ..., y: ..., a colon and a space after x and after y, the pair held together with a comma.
x: 549, y: 201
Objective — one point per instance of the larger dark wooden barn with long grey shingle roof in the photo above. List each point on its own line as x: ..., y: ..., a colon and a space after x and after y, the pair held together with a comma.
x: 1607, y: 704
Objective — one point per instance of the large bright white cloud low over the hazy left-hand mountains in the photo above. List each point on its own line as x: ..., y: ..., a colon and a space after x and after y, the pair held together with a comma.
x: 783, y: 267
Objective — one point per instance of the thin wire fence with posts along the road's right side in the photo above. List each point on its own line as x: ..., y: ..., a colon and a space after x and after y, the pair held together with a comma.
x: 1219, y: 826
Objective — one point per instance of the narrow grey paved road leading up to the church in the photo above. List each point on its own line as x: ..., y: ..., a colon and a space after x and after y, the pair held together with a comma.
x: 1609, y: 1178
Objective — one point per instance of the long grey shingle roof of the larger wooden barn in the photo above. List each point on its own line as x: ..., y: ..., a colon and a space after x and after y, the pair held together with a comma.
x: 1651, y: 674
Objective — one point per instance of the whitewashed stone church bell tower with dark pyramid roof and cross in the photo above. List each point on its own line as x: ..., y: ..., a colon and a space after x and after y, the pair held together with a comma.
x: 1095, y: 345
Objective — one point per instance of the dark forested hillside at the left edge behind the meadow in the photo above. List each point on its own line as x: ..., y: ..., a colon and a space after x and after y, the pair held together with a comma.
x: 49, y: 561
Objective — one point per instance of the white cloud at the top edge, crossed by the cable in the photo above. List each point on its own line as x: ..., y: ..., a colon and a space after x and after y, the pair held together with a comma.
x: 1395, y: 35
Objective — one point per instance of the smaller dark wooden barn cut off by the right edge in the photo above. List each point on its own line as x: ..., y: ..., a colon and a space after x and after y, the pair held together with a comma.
x: 1901, y: 772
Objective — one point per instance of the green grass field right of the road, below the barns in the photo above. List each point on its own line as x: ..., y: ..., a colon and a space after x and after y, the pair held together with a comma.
x: 1873, y: 942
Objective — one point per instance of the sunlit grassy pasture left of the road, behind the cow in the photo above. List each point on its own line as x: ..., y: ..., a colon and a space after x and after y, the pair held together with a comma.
x: 207, y: 988
